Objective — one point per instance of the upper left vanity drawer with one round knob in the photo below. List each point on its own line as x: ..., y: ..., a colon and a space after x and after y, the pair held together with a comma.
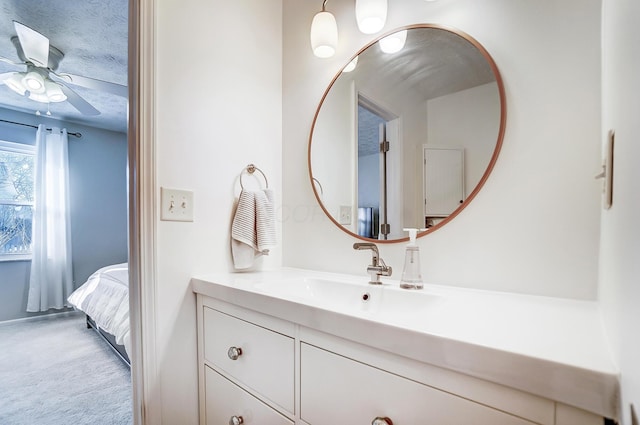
x: 265, y: 364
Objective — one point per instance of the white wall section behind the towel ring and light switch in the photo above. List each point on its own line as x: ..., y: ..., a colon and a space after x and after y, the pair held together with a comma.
x: 218, y: 108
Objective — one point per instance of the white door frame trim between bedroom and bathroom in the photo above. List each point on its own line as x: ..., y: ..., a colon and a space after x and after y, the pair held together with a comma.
x: 142, y: 213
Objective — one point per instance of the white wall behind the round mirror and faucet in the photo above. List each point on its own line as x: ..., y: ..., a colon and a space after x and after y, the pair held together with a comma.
x: 534, y: 228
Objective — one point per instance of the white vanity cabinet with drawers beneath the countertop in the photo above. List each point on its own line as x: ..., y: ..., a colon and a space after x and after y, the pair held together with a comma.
x: 255, y: 368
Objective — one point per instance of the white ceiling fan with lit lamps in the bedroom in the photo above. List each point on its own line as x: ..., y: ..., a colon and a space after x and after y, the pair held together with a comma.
x: 40, y: 82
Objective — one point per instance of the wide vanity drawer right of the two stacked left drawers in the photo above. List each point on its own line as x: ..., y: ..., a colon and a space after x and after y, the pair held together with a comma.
x: 338, y: 390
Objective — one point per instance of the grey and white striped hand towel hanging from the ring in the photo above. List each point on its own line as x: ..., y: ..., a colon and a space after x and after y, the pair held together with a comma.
x: 253, y: 231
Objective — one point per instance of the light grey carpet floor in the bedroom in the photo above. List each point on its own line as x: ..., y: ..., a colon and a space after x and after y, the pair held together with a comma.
x: 55, y: 371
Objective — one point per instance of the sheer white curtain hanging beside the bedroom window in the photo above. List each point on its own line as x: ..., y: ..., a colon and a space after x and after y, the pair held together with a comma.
x: 51, y: 280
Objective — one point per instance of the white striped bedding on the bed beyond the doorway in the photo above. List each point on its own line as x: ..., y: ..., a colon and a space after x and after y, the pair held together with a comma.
x: 105, y: 298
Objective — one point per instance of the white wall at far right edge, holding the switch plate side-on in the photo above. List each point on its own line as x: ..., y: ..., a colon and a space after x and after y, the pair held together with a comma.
x: 619, y: 291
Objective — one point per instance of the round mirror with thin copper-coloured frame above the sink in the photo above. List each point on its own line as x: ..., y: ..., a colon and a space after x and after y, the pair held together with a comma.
x: 407, y: 133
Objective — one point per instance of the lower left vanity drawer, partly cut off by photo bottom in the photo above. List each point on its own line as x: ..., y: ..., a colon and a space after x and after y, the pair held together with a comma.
x: 224, y: 400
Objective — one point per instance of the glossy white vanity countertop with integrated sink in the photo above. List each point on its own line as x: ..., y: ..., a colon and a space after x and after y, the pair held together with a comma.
x: 555, y: 348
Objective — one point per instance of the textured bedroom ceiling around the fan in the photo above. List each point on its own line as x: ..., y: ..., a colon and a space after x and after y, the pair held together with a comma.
x: 93, y: 36
